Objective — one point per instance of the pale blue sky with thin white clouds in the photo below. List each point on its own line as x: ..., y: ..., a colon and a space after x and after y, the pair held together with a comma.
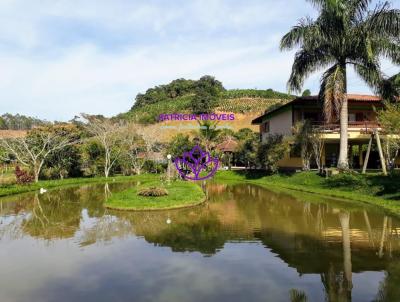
x: 59, y: 58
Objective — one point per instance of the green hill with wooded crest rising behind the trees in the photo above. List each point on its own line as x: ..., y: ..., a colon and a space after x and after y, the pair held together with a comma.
x: 178, y: 96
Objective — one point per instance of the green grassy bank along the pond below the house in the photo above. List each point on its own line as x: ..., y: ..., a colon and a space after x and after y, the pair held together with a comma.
x: 371, y: 188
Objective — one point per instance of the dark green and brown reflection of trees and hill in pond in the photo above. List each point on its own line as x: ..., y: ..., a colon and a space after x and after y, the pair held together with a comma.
x: 331, y: 239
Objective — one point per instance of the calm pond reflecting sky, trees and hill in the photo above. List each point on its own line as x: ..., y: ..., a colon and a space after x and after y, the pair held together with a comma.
x: 247, y: 243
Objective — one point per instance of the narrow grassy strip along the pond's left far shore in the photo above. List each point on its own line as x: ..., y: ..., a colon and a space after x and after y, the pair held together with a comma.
x: 49, y: 184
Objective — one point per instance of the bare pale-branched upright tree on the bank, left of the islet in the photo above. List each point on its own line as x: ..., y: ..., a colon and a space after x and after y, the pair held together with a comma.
x: 109, y: 135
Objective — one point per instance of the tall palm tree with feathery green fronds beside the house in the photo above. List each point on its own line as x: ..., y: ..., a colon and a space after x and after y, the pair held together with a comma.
x: 346, y: 33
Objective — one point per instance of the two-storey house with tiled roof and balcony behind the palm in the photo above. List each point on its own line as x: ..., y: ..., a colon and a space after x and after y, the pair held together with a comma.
x: 362, y: 122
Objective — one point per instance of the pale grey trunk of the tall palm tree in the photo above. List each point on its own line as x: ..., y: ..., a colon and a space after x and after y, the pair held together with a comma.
x: 343, y: 162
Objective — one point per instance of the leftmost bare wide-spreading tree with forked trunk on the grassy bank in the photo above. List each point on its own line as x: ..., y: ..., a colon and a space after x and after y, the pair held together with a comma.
x: 36, y: 147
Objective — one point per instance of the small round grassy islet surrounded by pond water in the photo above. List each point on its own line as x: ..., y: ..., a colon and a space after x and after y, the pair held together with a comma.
x: 180, y: 194
